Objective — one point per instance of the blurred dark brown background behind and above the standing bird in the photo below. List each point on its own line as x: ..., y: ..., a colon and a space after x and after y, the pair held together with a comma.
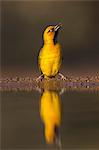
x: 22, y: 24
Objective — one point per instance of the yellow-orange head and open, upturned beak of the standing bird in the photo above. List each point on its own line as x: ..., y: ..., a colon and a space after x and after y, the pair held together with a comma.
x: 50, y: 32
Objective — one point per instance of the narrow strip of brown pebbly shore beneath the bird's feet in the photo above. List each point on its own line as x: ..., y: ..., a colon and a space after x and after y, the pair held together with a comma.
x: 30, y: 84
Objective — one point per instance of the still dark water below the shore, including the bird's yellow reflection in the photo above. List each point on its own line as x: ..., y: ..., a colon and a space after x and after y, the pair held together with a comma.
x: 50, y: 119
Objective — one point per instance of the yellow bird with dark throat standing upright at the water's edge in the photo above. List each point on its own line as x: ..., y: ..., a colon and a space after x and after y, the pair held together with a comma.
x: 50, y: 55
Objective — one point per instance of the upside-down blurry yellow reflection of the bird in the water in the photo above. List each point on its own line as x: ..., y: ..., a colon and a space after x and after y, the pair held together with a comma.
x: 50, y: 112
